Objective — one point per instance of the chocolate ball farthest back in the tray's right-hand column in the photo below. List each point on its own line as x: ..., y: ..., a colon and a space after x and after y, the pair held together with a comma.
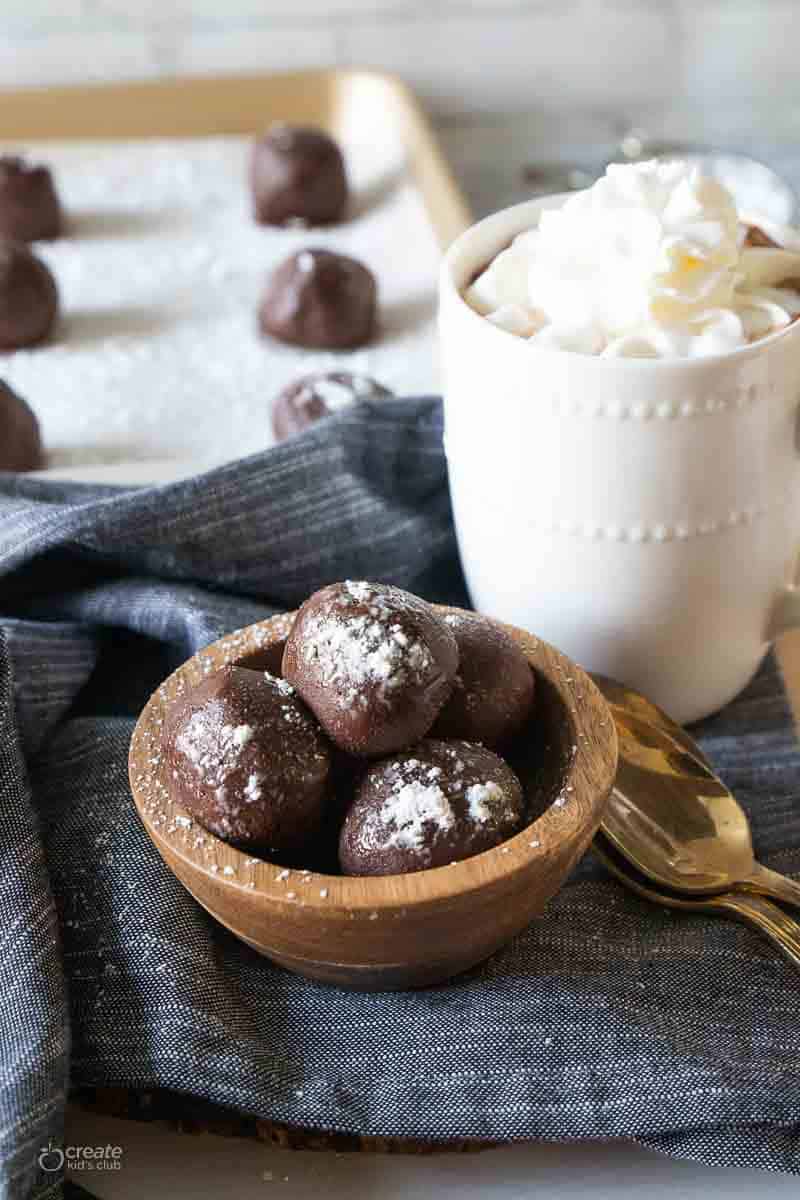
x: 298, y: 175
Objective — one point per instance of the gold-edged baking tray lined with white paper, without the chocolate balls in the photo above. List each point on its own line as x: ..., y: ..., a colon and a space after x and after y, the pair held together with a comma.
x: 103, y: 134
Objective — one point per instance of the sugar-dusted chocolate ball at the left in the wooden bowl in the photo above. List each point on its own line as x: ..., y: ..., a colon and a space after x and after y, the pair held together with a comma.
x: 248, y: 760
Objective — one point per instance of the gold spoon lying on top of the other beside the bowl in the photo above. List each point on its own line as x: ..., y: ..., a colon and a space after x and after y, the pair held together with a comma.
x: 671, y: 815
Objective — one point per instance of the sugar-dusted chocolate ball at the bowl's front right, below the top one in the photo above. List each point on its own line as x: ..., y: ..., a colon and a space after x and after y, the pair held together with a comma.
x: 435, y: 805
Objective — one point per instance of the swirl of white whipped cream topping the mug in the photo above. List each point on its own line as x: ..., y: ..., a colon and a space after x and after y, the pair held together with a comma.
x: 648, y: 263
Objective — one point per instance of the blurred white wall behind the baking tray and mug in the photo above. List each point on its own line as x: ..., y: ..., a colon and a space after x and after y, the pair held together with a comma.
x: 613, y: 58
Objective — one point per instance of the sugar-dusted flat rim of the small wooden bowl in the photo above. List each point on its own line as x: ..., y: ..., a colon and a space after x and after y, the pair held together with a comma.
x: 176, y: 833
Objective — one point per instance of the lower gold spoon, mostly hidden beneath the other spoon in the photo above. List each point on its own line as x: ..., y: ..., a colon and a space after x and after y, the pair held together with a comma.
x: 753, y: 910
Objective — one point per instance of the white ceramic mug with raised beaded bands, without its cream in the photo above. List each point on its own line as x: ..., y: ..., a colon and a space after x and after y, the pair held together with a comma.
x: 640, y: 514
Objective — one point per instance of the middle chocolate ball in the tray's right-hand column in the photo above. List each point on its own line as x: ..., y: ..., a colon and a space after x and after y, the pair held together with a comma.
x: 321, y: 301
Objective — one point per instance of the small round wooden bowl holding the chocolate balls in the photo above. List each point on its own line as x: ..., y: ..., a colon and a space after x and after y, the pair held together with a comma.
x: 393, y: 932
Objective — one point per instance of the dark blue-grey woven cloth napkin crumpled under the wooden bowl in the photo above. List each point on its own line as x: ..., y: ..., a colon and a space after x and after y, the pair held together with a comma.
x: 607, y: 1018
